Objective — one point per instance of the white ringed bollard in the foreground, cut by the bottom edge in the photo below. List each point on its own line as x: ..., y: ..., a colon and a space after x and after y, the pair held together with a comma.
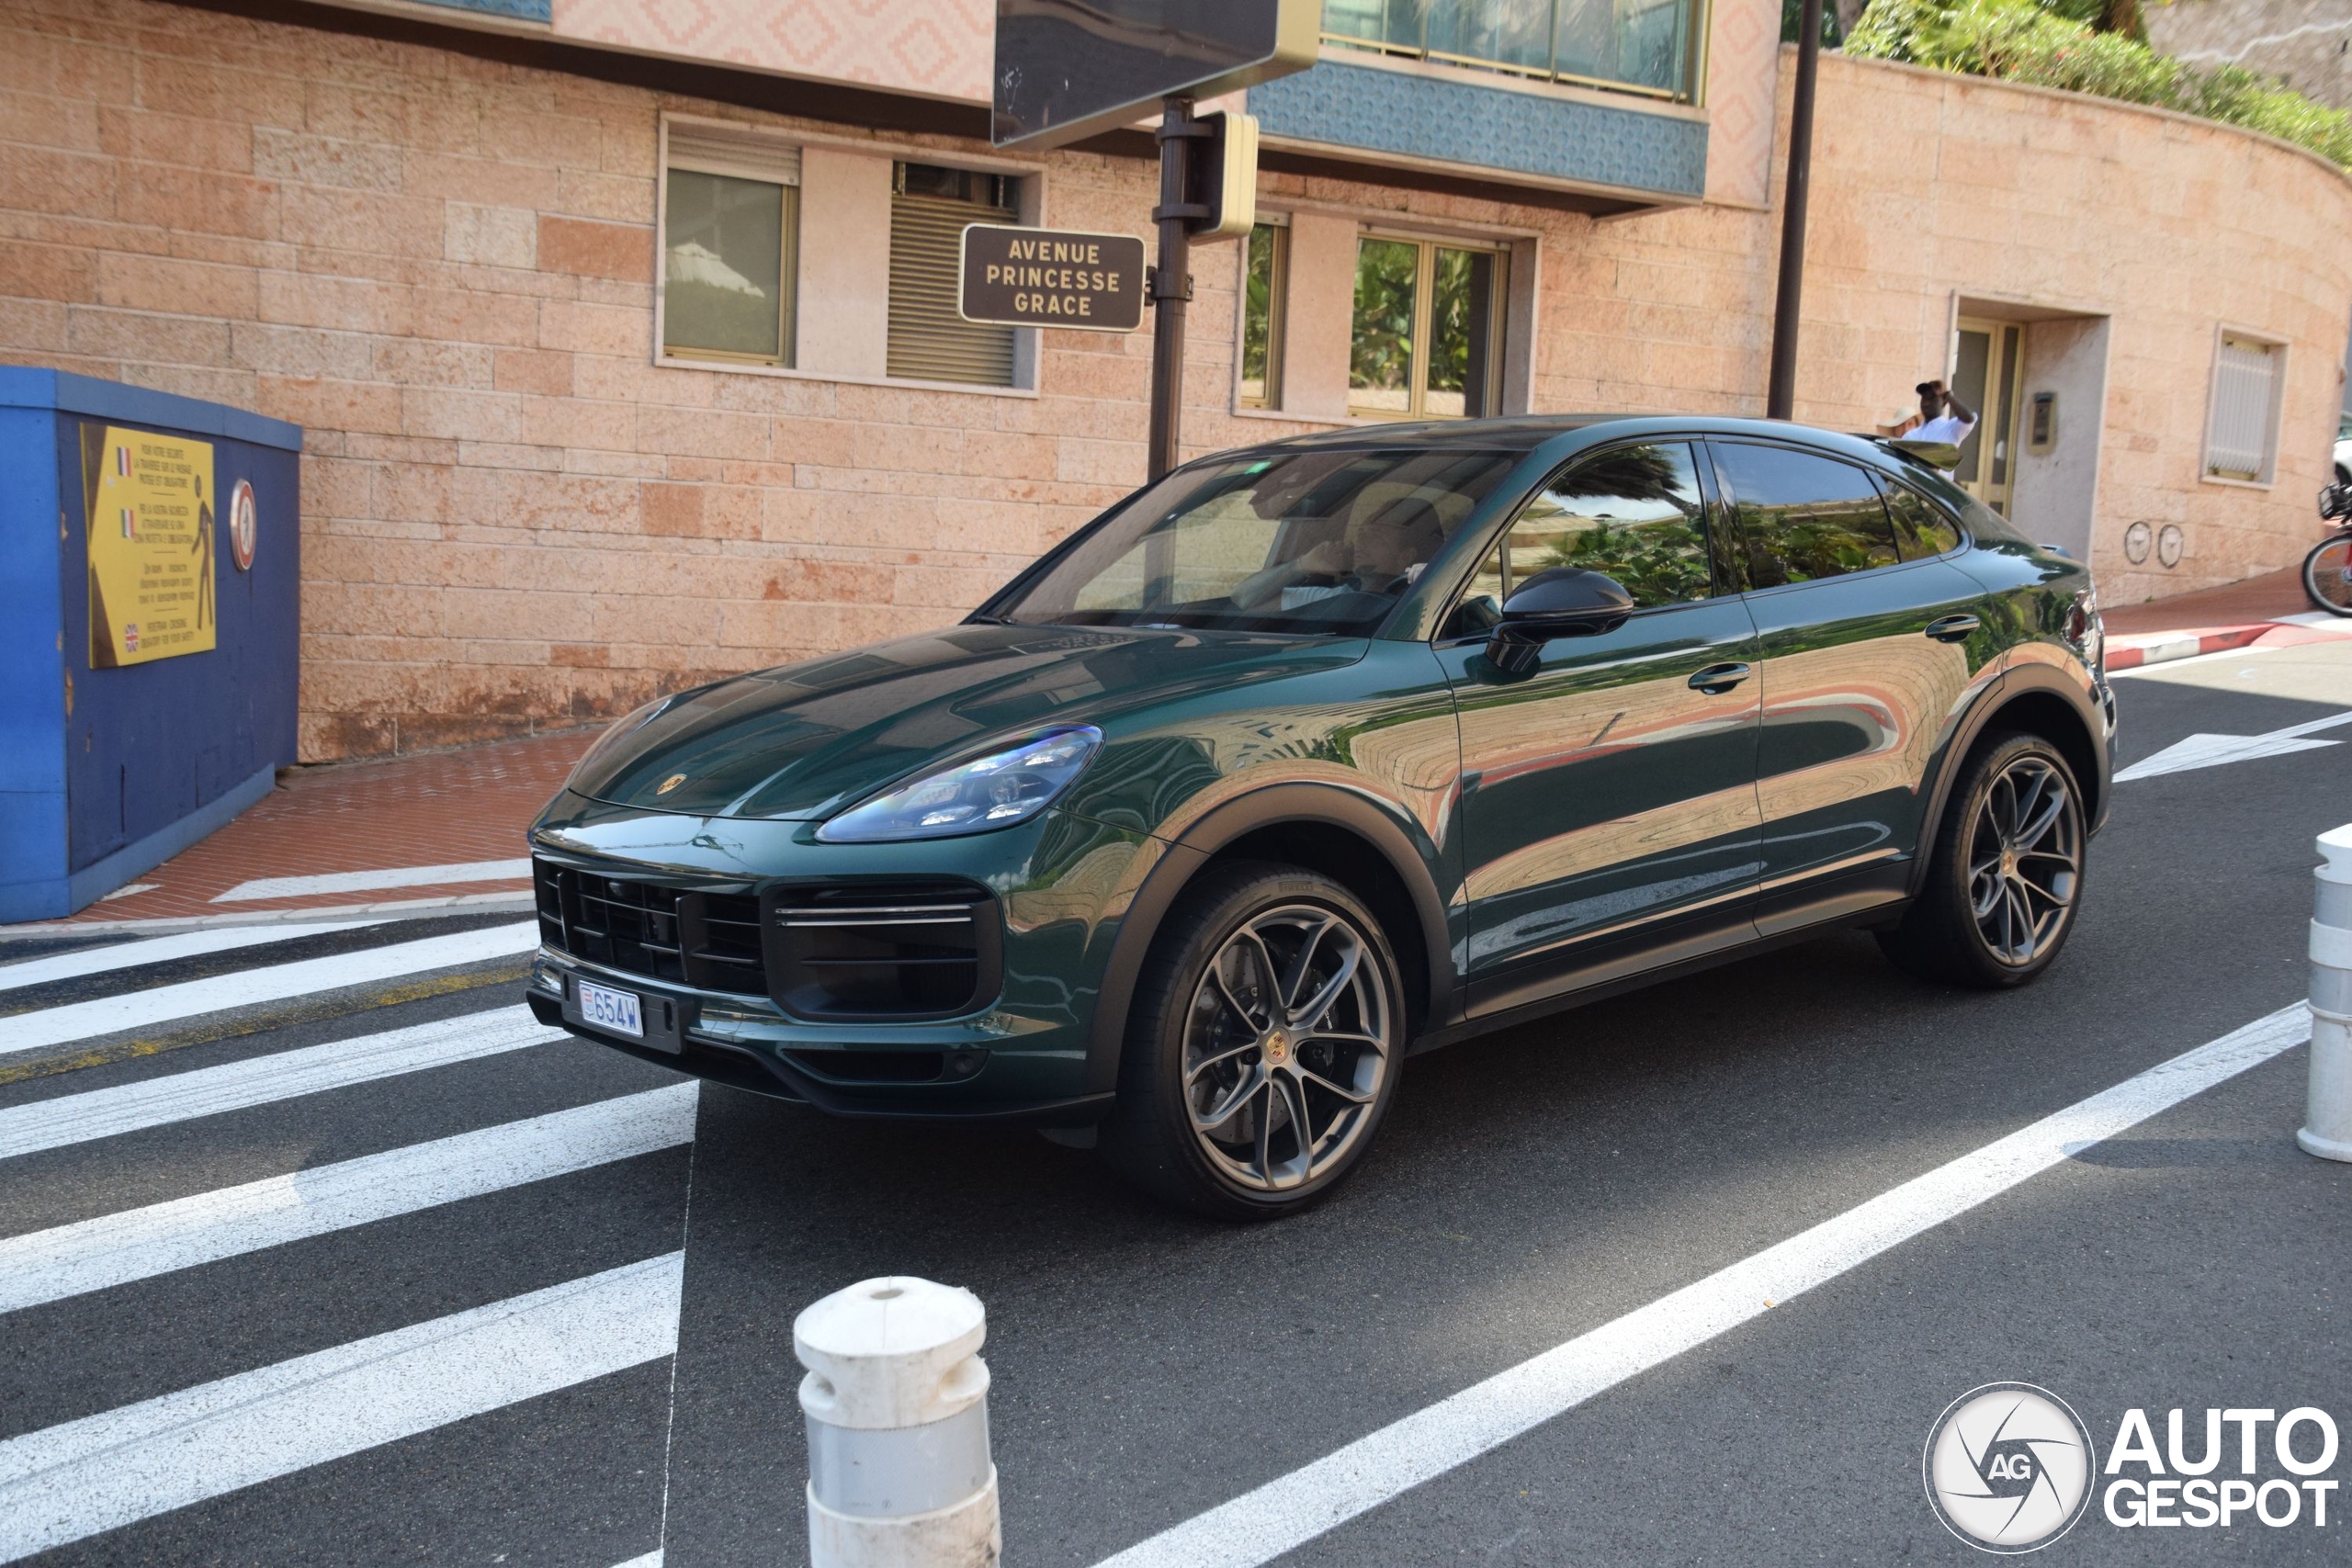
x: 897, y: 1402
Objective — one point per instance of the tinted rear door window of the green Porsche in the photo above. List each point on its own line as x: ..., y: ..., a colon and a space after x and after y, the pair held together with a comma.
x: 1803, y: 518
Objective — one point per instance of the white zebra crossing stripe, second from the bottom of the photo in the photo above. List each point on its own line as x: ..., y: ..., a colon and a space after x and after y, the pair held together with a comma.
x: 116, y: 1249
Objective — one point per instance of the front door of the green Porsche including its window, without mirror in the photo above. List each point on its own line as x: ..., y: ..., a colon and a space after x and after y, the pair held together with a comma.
x: 1608, y: 791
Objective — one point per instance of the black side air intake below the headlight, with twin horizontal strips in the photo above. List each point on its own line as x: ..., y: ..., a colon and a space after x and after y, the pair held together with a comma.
x: 897, y: 951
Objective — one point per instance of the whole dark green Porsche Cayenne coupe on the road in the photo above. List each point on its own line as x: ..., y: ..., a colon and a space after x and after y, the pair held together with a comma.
x: 1332, y: 751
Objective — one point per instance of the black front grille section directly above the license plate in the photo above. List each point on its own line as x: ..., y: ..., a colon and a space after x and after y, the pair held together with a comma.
x: 709, y: 942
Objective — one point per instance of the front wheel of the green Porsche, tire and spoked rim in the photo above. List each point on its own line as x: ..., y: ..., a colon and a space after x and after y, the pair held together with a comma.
x: 1215, y: 1083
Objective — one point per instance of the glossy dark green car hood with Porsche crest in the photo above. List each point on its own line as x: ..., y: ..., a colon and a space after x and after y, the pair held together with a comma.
x: 810, y: 739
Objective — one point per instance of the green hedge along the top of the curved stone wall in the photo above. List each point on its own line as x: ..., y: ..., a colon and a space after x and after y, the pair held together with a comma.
x: 2045, y: 46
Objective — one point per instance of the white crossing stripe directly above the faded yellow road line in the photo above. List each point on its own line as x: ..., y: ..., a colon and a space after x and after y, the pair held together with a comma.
x: 253, y: 986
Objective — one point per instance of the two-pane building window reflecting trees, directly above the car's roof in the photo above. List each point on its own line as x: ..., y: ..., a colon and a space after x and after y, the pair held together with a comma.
x: 1426, y: 330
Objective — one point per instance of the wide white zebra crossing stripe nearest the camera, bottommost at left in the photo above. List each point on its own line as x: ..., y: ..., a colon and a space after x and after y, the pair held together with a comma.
x: 109, y: 1470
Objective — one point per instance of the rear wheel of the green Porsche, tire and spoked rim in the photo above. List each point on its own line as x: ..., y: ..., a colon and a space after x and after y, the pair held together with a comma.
x: 2000, y: 894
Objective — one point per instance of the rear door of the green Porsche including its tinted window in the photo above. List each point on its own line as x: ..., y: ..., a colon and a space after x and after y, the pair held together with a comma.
x: 1871, y: 655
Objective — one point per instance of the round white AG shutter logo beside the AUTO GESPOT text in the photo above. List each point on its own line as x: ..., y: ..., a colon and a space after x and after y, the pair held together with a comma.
x: 2010, y: 1468
